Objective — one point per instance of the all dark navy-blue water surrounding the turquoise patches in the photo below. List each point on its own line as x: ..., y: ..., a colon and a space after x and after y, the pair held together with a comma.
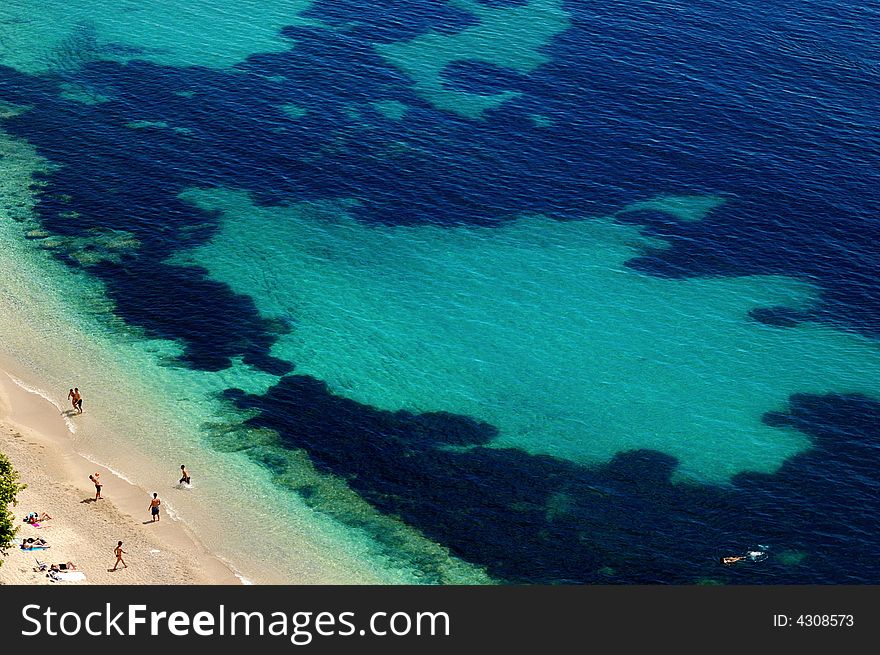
x: 776, y: 107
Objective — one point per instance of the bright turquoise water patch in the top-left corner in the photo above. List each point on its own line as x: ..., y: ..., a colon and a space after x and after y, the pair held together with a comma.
x: 42, y: 38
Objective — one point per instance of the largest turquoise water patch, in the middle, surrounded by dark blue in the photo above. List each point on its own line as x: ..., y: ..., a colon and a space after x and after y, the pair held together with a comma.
x: 538, y: 328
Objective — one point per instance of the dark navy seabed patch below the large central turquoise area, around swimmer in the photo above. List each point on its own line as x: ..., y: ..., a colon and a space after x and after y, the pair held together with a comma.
x: 529, y: 518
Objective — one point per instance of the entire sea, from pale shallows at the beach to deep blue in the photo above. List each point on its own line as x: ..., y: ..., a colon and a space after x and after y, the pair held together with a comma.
x: 445, y: 283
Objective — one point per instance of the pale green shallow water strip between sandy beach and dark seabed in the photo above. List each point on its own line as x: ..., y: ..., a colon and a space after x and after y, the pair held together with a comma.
x: 145, y: 415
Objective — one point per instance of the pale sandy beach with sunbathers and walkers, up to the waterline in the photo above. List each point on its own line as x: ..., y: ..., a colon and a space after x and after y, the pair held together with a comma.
x: 84, y: 531
